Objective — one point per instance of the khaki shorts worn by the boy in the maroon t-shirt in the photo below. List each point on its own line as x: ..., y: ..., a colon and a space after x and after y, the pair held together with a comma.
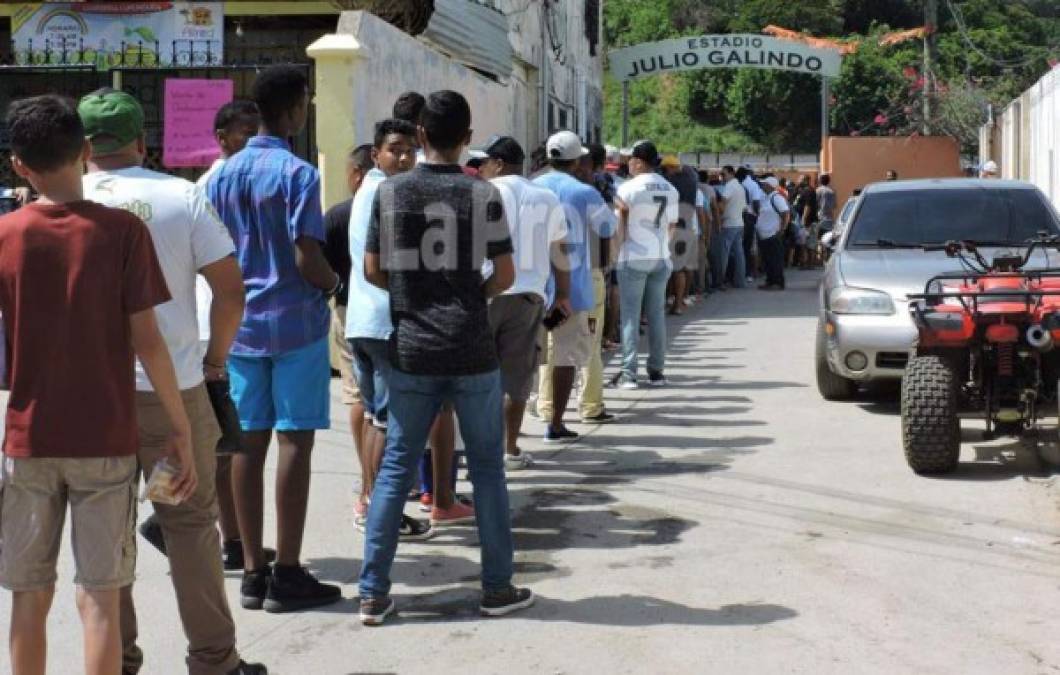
x: 34, y: 494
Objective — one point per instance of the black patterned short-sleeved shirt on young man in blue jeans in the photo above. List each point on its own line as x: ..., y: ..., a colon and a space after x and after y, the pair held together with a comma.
x: 433, y: 228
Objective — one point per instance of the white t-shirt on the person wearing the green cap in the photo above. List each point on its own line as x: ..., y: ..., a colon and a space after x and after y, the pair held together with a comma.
x: 188, y: 236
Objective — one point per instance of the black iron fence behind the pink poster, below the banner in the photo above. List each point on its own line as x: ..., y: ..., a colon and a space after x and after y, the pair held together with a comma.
x: 140, y: 69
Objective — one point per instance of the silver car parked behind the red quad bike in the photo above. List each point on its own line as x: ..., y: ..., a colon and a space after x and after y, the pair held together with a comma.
x: 864, y: 332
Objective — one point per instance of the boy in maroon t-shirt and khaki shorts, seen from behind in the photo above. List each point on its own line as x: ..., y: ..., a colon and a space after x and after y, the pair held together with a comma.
x: 79, y: 283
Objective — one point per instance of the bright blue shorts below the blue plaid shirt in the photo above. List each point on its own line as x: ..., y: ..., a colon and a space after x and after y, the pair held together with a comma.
x: 287, y: 393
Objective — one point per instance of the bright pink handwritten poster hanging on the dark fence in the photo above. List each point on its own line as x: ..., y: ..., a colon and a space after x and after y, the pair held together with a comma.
x: 190, y: 106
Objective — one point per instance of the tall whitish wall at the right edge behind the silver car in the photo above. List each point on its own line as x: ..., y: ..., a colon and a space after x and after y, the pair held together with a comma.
x: 1026, y: 138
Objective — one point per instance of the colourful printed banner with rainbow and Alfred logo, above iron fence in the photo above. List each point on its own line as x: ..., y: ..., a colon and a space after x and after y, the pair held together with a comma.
x: 109, y: 34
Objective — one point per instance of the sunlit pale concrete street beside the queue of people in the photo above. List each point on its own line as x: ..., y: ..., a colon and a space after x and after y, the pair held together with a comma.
x: 733, y: 523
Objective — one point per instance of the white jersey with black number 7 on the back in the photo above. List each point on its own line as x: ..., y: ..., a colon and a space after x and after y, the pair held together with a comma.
x: 655, y: 206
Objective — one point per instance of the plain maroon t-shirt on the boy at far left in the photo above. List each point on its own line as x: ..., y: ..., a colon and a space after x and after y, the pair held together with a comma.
x: 70, y: 275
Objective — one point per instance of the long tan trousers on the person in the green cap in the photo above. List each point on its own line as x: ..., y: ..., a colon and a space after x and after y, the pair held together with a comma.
x: 192, y: 543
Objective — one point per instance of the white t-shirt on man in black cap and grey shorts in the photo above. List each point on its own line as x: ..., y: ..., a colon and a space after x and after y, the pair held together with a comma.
x: 537, y: 221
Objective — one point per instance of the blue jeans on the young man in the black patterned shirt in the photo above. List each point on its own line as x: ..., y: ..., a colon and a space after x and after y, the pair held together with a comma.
x: 415, y: 402
